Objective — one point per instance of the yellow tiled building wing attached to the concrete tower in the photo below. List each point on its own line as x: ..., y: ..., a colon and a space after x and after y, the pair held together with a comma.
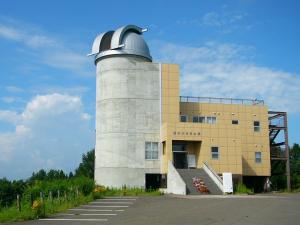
x: 231, y: 135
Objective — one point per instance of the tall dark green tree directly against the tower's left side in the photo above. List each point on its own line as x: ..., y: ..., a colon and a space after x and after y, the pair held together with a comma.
x: 86, y: 167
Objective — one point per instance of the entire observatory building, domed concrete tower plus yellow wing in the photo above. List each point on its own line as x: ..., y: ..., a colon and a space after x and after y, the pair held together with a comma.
x: 143, y: 124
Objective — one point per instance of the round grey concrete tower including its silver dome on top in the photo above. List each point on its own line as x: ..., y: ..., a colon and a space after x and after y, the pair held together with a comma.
x: 127, y: 107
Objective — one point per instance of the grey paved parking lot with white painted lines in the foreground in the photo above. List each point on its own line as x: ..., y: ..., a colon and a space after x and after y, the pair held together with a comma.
x: 175, y: 210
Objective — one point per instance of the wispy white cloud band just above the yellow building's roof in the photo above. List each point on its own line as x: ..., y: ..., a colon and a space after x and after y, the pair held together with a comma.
x: 223, y: 70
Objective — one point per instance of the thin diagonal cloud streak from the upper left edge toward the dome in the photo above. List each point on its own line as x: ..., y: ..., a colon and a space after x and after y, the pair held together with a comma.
x: 47, y: 49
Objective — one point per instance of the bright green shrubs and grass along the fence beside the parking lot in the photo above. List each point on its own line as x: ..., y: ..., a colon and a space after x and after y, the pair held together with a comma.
x: 73, y: 192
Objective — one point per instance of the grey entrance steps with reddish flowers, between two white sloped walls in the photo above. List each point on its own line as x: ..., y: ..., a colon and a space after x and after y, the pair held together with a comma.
x: 200, y: 176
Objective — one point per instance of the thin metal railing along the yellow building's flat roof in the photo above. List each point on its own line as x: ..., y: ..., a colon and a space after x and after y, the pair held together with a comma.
x: 221, y: 100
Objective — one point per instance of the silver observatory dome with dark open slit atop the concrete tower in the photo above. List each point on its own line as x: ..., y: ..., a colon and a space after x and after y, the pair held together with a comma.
x: 126, y: 40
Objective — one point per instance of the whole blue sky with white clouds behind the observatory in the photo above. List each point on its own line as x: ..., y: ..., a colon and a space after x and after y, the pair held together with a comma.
x: 245, y: 48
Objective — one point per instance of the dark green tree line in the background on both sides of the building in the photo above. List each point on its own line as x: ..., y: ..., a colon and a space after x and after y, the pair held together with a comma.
x: 42, y: 178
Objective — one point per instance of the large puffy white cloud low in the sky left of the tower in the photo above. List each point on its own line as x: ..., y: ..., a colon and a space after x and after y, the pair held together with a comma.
x: 52, y: 132
